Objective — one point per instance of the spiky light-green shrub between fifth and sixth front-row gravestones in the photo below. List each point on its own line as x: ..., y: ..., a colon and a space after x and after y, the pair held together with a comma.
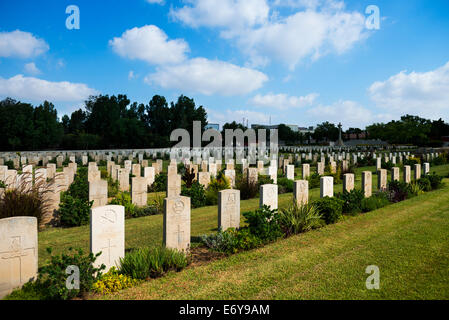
x: 299, y: 218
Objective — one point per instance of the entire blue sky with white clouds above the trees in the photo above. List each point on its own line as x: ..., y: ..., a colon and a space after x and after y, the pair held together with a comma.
x: 292, y: 61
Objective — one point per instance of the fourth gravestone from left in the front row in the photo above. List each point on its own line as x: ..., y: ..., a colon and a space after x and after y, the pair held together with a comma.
x: 228, y: 209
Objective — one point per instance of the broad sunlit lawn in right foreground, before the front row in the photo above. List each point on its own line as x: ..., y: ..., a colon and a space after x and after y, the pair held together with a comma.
x: 408, y: 241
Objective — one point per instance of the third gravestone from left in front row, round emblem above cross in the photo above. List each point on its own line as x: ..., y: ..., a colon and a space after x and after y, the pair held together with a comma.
x: 177, y: 223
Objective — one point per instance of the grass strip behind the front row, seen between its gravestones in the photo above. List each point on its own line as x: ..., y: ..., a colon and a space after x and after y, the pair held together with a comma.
x: 147, y: 231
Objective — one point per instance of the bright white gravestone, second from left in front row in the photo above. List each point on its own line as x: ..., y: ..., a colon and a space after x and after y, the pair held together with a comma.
x: 107, y: 235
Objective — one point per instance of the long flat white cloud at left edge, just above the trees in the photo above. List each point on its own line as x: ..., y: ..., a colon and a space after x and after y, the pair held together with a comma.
x: 34, y: 89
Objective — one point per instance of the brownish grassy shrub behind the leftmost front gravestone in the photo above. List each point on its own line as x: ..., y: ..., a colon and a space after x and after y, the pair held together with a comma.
x: 25, y: 200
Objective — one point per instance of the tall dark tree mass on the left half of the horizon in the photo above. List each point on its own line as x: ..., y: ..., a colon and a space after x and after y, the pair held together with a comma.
x: 106, y: 122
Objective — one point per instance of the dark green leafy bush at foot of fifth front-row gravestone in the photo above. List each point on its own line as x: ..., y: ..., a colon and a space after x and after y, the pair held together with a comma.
x: 264, y: 223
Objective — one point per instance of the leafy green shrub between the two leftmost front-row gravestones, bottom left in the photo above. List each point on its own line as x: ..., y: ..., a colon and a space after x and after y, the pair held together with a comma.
x: 51, y: 280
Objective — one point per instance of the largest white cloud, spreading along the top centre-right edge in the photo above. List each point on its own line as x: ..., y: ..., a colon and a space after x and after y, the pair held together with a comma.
x: 263, y: 34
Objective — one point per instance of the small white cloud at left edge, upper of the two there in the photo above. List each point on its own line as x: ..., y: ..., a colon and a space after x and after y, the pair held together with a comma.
x: 20, y: 44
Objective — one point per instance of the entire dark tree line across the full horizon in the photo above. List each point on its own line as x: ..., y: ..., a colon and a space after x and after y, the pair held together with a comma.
x: 108, y: 122
